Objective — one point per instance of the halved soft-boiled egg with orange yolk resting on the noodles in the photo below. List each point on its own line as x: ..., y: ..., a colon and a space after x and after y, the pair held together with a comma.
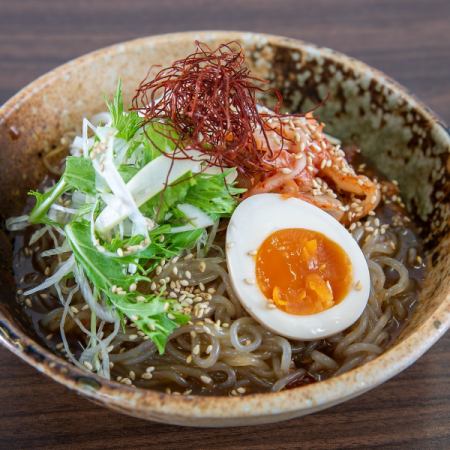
x: 295, y: 268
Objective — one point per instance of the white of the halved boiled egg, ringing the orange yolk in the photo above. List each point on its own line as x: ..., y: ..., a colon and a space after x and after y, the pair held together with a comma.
x: 252, y: 222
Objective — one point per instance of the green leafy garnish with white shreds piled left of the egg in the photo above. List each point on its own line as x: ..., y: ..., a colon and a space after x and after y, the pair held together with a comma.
x: 119, y: 252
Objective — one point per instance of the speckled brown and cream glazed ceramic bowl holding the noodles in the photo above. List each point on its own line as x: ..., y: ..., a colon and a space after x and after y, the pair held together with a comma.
x: 396, y: 132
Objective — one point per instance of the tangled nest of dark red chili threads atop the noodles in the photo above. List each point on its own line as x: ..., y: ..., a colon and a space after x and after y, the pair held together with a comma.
x: 209, y: 98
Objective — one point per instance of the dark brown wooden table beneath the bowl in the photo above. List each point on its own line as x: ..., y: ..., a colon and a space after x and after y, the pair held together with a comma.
x: 408, y: 39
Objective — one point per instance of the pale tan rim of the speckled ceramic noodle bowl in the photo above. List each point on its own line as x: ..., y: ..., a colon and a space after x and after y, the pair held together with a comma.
x: 293, y: 401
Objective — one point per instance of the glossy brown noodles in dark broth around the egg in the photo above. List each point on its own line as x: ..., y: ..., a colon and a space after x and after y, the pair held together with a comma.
x: 222, y: 350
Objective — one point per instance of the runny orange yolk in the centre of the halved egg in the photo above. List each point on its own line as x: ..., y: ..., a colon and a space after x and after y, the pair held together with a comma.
x: 302, y: 271
